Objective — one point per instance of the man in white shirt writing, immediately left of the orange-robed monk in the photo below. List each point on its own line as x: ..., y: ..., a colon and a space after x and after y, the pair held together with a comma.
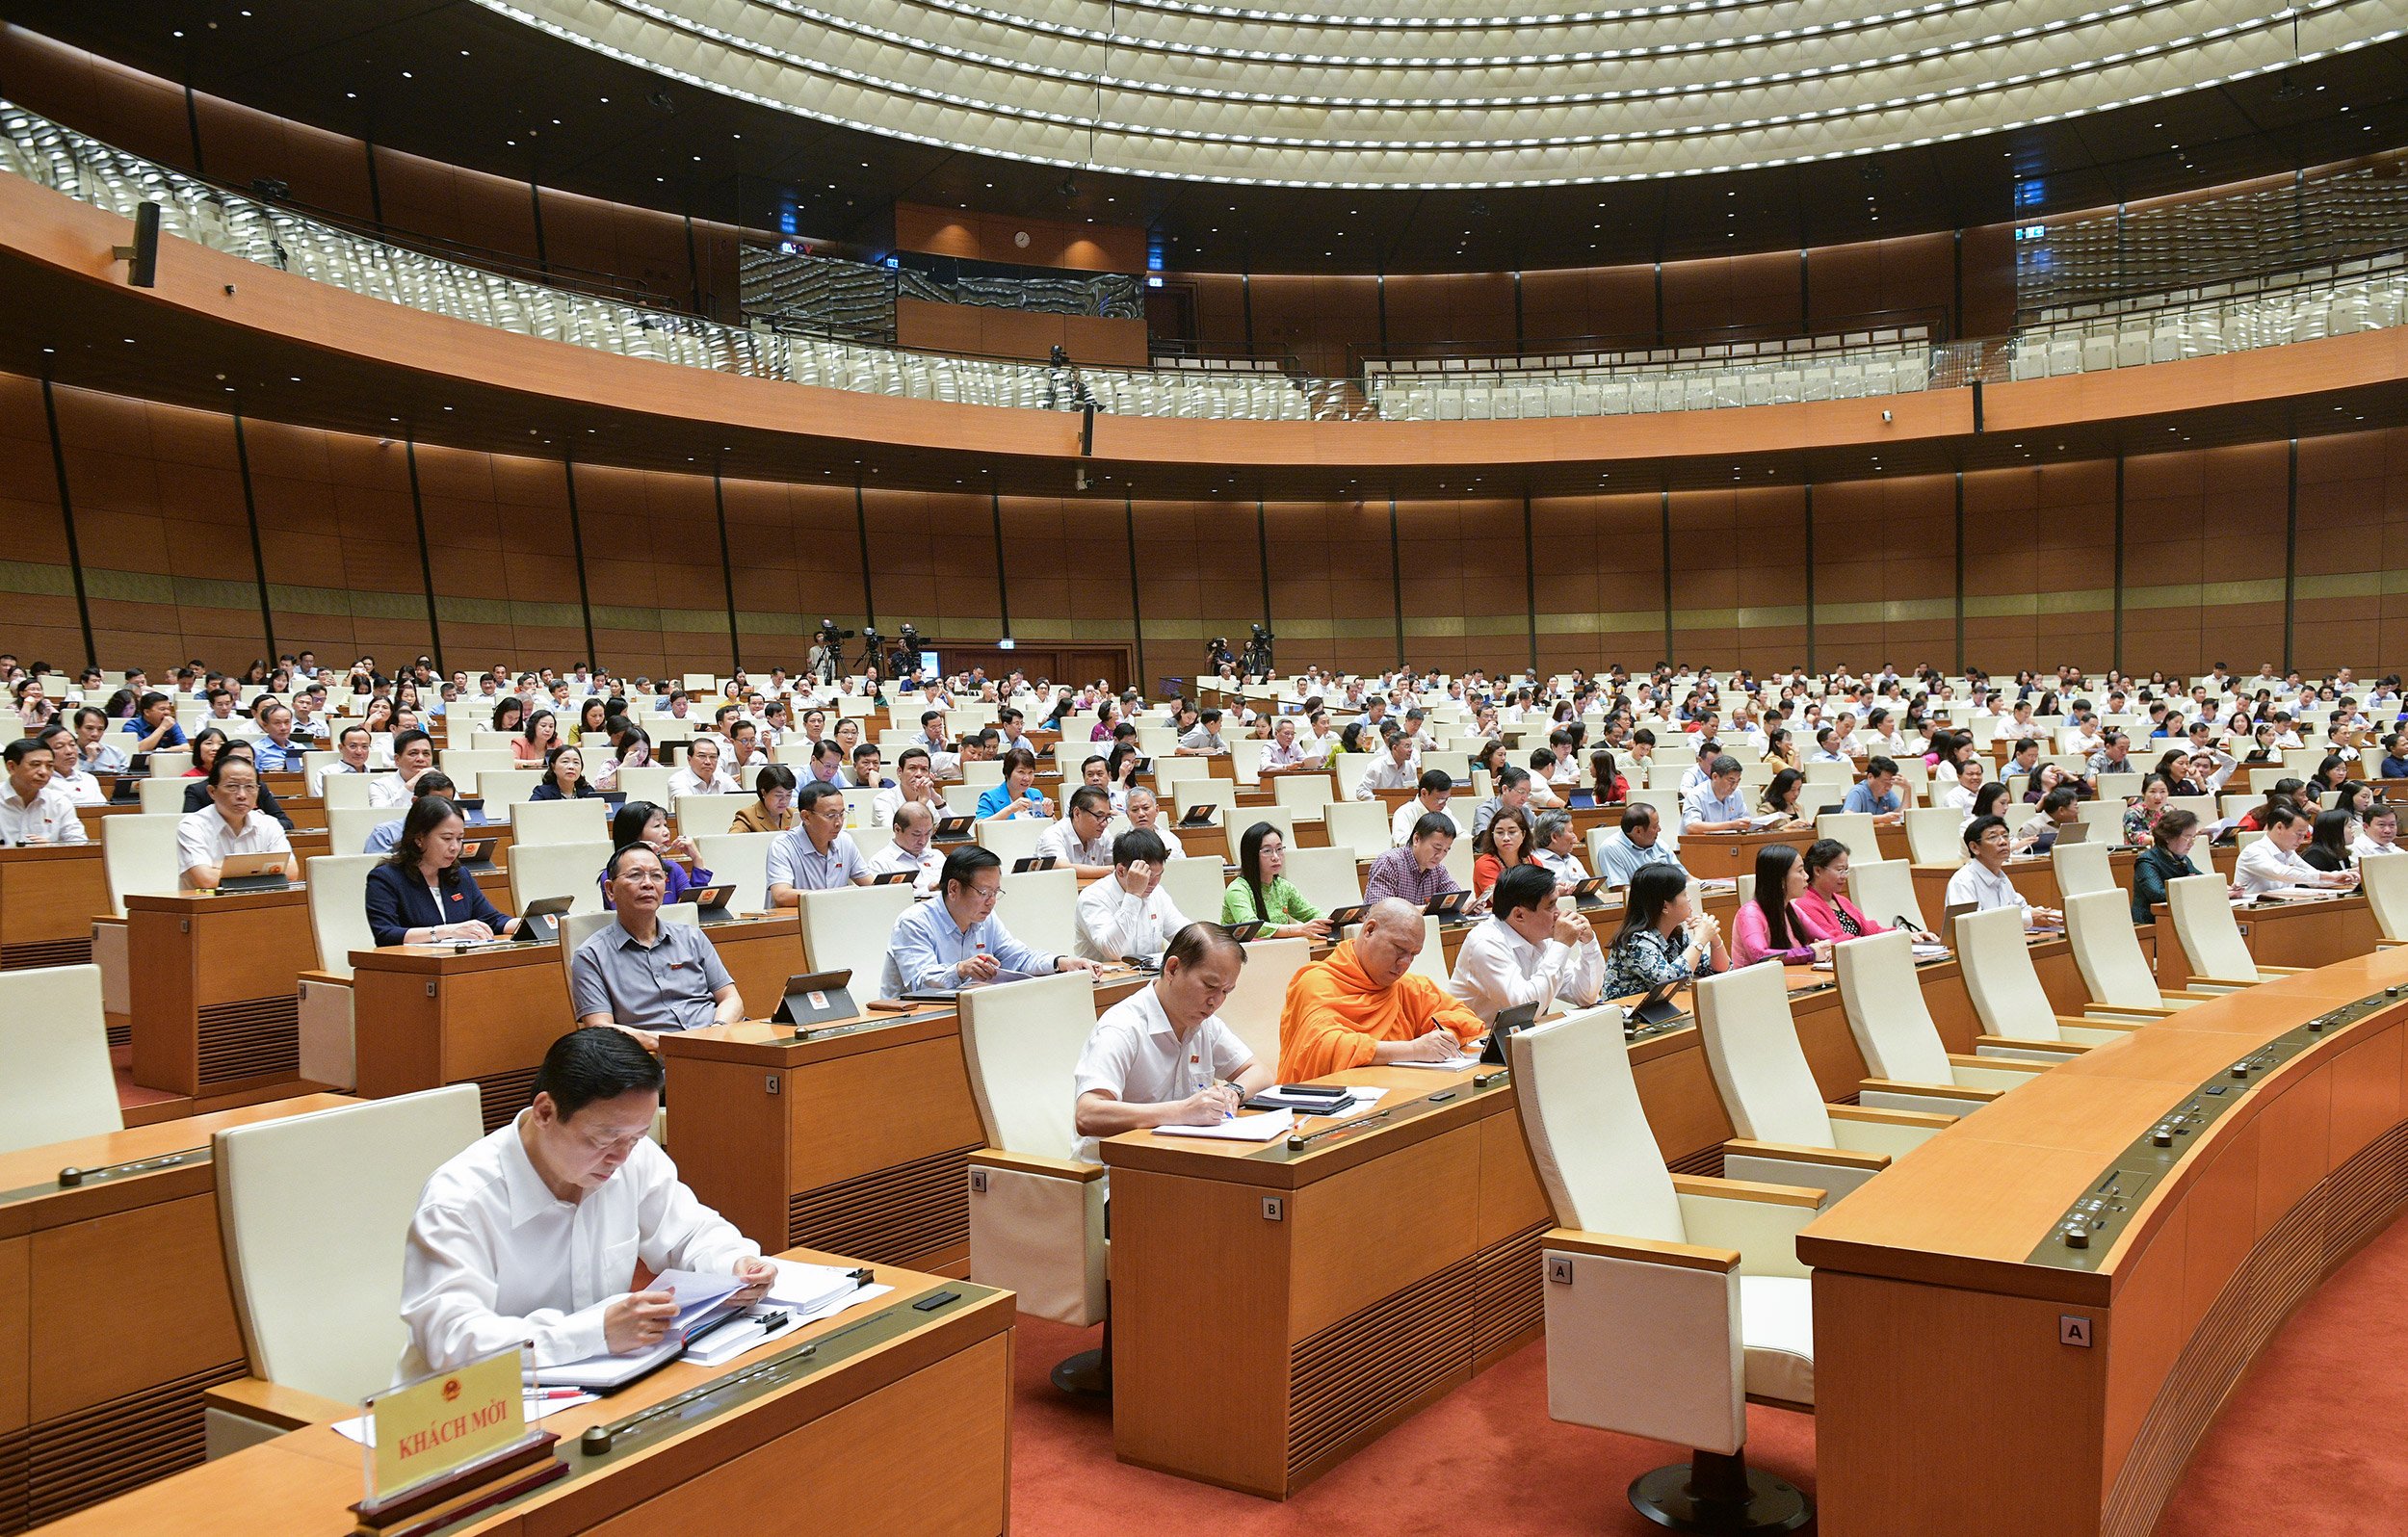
x: 1164, y: 1056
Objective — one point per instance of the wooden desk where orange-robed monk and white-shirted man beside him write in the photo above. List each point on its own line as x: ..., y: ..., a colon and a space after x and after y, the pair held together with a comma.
x: 1333, y: 1290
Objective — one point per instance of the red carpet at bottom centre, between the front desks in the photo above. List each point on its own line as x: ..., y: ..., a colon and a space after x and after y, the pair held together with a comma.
x: 1482, y: 1461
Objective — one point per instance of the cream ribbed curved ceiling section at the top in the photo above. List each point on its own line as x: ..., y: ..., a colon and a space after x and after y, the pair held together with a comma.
x: 1451, y: 93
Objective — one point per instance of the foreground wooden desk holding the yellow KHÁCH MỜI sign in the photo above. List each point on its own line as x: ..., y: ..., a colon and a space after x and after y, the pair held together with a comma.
x: 899, y: 1427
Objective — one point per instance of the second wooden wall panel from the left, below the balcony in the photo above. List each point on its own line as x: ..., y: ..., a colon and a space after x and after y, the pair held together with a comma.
x: 163, y: 529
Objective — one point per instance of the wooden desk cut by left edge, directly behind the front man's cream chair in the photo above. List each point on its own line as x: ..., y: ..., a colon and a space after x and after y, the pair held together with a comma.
x: 114, y: 1312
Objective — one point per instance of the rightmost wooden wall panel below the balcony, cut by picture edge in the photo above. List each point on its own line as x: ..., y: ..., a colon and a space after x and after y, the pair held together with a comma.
x: 2354, y: 531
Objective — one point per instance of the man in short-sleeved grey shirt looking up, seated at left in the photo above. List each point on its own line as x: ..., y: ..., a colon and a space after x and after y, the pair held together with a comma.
x: 642, y: 974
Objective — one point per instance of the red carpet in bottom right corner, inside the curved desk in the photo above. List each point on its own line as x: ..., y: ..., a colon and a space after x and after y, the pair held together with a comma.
x: 2308, y: 1444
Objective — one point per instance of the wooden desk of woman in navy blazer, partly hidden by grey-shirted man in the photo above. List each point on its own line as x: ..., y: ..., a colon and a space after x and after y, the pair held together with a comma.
x: 430, y: 1015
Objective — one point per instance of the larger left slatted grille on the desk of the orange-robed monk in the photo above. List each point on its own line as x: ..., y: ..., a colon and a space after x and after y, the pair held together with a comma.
x: 1352, y: 1379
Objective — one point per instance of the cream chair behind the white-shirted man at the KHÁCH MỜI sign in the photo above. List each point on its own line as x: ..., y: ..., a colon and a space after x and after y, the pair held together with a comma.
x: 314, y: 1215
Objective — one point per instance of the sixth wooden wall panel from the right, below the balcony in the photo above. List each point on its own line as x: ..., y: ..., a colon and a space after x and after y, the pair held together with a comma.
x: 1600, y: 565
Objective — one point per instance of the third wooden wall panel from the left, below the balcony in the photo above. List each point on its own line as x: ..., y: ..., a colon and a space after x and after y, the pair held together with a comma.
x: 341, y: 543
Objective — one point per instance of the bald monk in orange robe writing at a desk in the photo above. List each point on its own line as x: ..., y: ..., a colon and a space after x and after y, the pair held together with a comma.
x: 1367, y: 1006
